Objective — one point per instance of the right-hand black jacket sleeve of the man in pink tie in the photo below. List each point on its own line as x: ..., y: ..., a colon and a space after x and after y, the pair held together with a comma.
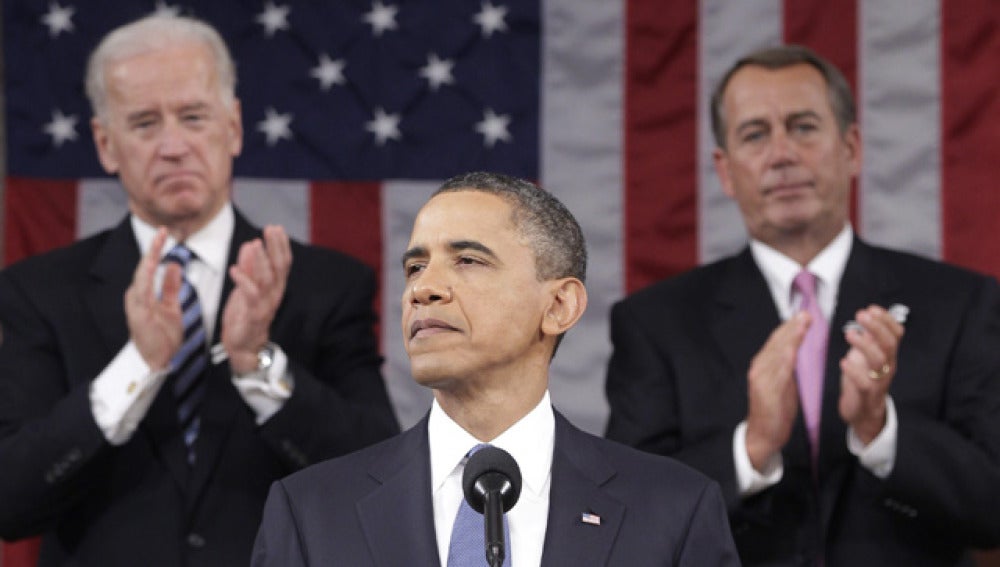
x: 947, y: 468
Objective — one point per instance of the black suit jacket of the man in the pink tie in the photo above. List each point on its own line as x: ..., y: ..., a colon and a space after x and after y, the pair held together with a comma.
x: 677, y: 386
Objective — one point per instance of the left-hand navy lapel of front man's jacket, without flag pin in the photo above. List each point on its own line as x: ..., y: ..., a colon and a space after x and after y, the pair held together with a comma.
x: 397, y: 517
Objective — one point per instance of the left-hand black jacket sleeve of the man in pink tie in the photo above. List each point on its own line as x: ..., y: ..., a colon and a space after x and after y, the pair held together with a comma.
x: 645, y: 404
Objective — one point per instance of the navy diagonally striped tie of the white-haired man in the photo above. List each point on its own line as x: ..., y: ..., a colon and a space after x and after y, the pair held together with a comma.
x: 188, y: 363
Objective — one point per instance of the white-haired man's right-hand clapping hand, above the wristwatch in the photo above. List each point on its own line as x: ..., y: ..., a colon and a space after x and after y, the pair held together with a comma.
x: 259, y: 278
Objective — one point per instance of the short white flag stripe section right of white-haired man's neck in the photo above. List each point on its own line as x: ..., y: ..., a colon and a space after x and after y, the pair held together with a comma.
x: 275, y: 201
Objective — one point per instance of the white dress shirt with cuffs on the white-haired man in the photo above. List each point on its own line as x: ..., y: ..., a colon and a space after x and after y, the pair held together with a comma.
x: 121, y: 394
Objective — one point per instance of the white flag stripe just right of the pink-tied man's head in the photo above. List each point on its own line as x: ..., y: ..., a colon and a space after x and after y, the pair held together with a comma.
x: 899, y: 60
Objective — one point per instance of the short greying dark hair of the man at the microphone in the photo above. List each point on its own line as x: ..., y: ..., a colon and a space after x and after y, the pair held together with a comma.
x: 550, y: 229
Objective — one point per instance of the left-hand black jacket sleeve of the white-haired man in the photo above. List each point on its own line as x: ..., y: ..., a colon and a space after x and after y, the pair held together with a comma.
x: 48, y: 435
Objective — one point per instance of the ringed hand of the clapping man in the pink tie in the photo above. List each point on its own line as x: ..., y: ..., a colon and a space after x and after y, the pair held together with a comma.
x: 867, y: 370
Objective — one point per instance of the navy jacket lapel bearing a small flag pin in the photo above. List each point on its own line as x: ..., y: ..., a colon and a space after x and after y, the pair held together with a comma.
x: 579, y: 473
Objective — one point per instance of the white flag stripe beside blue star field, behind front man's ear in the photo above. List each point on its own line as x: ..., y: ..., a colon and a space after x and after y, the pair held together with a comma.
x: 581, y: 158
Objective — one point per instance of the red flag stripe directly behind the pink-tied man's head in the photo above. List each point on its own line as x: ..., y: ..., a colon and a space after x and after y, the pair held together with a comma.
x: 830, y: 29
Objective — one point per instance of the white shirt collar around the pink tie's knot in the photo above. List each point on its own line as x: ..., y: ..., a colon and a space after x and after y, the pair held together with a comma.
x: 828, y: 266
